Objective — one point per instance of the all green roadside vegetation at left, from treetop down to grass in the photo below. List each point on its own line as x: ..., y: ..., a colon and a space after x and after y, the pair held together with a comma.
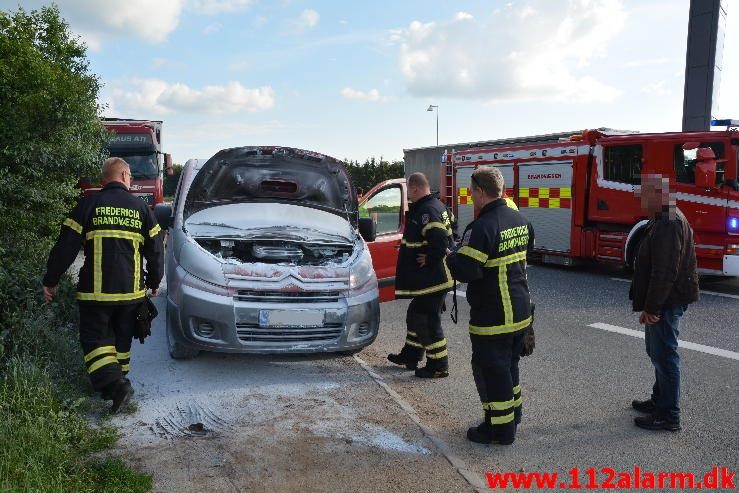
x: 50, y: 134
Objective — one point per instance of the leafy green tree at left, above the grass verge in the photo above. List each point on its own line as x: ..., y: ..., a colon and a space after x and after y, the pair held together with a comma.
x: 50, y: 134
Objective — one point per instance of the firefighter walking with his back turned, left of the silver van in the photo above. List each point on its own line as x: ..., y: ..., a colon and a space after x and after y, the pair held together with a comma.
x: 118, y: 231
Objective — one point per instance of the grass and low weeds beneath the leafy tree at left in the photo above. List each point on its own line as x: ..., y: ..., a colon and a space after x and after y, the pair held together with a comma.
x: 47, y: 441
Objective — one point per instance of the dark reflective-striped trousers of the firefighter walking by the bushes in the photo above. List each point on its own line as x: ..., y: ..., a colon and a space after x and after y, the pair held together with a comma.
x: 106, y: 333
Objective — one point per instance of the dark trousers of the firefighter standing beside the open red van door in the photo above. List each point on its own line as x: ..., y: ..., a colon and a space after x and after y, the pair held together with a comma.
x: 423, y: 322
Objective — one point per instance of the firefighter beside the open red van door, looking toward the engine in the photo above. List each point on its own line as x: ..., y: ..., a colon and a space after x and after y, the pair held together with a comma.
x: 422, y: 275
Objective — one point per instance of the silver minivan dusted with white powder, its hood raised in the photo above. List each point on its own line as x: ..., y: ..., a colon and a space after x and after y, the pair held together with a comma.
x: 264, y: 255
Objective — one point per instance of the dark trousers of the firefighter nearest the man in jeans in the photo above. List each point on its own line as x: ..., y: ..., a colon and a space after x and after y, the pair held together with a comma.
x: 495, y: 369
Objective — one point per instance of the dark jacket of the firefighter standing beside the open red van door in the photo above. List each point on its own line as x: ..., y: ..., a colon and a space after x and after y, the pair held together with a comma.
x: 428, y: 230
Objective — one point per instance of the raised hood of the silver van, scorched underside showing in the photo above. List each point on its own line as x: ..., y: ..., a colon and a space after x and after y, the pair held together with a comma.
x: 273, y: 174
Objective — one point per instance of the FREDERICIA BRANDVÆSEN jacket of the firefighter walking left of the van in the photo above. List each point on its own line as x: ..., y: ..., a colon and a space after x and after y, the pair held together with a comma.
x: 118, y: 230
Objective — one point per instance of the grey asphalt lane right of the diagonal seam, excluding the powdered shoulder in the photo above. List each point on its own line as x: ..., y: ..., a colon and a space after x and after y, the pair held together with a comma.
x: 578, y: 385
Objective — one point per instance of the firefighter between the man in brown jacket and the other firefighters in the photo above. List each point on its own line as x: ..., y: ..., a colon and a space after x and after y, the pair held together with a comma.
x: 492, y: 259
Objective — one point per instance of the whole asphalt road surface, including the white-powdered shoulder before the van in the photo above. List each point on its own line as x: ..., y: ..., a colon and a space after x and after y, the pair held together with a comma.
x: 337, y: 423
